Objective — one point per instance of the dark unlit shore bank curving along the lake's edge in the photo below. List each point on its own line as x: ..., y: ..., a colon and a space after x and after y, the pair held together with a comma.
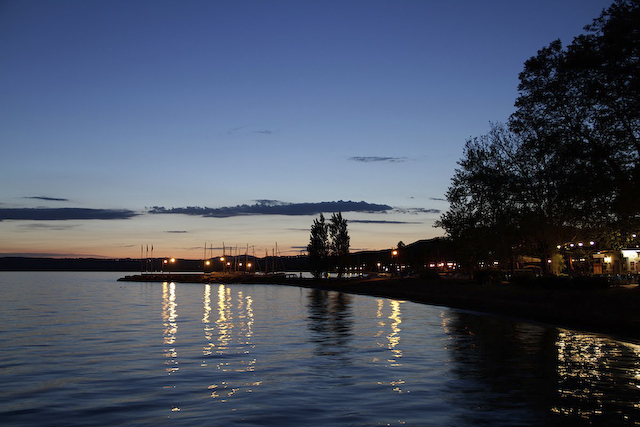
x: 613, y: 311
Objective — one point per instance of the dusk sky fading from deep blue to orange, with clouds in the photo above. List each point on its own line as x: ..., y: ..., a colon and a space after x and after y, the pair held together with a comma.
x: 190, y: 124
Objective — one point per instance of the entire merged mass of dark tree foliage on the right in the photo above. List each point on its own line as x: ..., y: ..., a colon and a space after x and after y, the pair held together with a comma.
x: 568, y: 161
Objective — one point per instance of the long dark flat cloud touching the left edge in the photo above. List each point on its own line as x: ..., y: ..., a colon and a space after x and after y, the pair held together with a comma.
x: 62, y: 214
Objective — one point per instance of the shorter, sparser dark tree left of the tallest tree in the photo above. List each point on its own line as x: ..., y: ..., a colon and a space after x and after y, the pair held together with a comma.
x: 486, y: 198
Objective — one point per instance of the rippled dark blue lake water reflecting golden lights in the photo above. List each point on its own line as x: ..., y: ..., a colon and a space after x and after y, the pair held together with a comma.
x: 83, y: 349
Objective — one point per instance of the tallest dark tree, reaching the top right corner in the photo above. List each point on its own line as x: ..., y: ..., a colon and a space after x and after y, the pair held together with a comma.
x: 578, y: 112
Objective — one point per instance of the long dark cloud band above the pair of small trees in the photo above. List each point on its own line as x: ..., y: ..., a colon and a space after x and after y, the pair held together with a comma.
x: 275, y: 207
